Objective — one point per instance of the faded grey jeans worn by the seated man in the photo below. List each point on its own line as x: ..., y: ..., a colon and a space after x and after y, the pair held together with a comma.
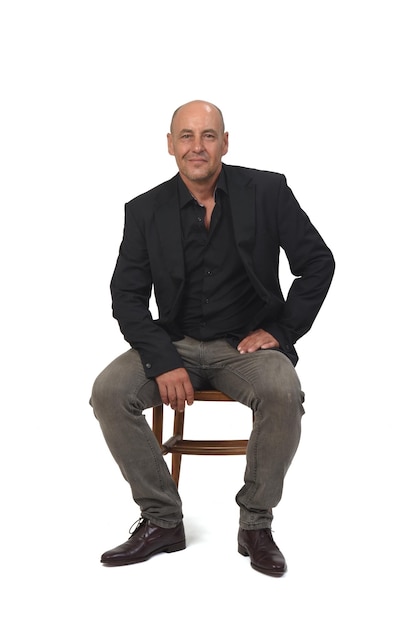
x: 265, y: 381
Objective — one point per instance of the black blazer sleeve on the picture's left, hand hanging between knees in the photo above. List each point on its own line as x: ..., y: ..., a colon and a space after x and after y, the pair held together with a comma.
x: 131, y: 288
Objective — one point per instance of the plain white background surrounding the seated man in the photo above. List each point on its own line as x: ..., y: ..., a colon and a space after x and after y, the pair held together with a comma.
x: 322, y: 91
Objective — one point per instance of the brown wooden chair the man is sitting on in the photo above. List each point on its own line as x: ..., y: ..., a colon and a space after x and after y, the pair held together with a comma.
x: 177, y: 445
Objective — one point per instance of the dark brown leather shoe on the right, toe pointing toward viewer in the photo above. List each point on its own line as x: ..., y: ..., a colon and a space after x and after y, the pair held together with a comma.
x: 265, y: 555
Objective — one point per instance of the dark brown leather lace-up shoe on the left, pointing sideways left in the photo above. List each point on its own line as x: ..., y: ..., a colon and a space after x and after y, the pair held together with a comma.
x: 146, y: 541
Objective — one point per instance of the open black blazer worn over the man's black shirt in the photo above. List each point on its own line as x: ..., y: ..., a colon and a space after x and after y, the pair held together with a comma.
x: 266, y: 217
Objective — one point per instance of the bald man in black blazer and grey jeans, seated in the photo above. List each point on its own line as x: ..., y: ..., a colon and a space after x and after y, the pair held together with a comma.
x: 208, y: 242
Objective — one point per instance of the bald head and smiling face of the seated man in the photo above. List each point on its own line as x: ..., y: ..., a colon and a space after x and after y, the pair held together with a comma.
x: 198, y: 142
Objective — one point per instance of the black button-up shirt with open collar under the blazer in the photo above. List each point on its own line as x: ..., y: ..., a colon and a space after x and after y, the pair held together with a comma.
x: 219, y: 300
